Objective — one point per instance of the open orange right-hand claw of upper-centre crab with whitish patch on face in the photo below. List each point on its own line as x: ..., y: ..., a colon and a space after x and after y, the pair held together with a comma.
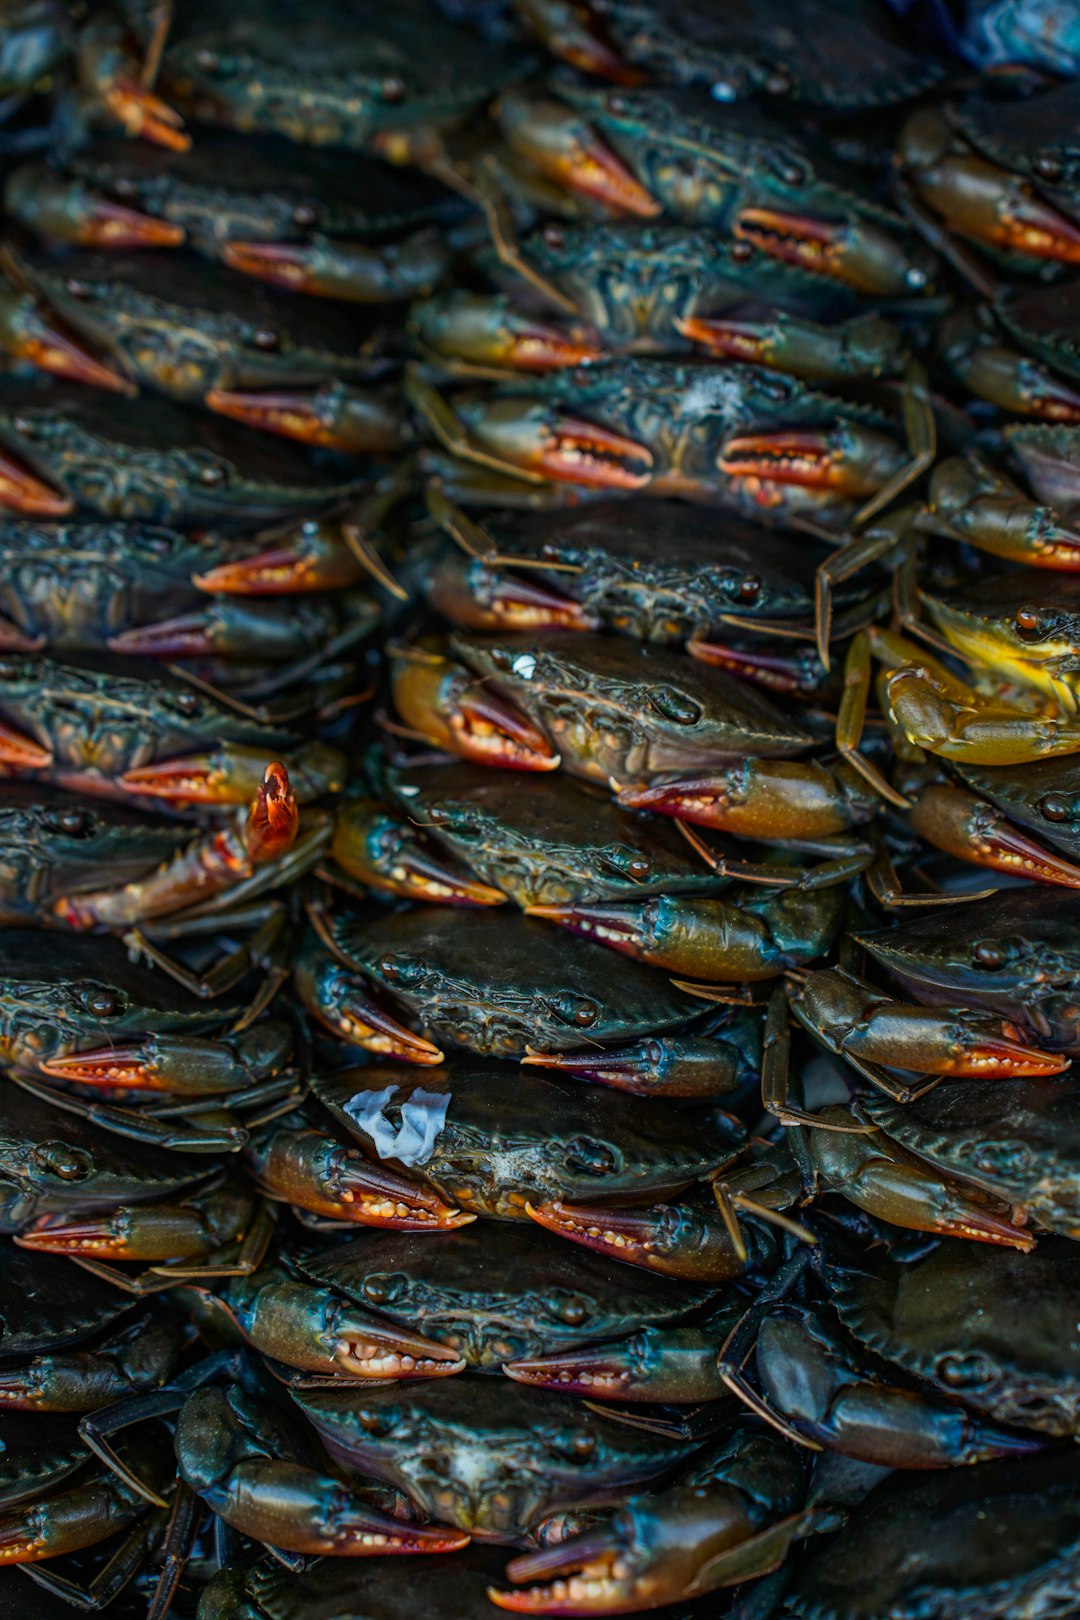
x: 849, y: 459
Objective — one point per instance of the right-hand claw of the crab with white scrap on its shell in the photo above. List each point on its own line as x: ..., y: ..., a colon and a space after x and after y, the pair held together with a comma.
x: 670, y: 1238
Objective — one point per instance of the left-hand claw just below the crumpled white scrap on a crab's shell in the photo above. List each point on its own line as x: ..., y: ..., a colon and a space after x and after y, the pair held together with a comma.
x: 317, y: 1174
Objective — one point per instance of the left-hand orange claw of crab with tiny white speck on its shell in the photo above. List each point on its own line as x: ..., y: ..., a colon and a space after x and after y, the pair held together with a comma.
x: 444, y: 702
